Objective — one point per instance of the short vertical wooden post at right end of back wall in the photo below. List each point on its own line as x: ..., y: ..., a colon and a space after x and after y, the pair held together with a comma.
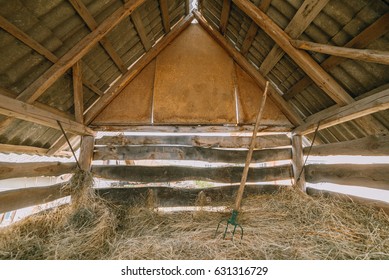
x: 298, y: 162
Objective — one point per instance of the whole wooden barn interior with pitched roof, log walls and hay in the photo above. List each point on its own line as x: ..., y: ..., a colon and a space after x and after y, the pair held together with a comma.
x: 147, y: 93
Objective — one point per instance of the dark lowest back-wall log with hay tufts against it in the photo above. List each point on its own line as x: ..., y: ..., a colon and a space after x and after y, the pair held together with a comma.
x: 170, y: 197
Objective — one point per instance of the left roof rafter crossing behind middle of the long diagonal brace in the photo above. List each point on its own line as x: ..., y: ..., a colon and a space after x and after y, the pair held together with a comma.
x: 84, y: 13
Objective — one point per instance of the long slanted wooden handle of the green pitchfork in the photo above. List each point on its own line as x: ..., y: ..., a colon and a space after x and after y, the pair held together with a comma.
x: 239, y: 195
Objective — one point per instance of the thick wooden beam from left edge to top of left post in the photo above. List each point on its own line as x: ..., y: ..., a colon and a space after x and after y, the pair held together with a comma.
x: 21, y: 110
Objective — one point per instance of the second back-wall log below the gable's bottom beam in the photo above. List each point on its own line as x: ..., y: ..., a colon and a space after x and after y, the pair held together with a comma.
x: 187, y: 153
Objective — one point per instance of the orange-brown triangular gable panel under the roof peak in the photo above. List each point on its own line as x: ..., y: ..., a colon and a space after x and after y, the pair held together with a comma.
x: 192, y: 81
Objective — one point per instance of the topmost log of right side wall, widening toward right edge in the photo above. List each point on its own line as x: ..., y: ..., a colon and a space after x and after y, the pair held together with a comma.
x: 368, y: 146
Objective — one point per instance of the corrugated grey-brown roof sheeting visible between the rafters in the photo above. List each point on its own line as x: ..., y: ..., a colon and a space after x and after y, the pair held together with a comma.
x: 58, y: 27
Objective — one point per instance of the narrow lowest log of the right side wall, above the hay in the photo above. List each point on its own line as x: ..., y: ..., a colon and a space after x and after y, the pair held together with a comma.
x: 378, y: 204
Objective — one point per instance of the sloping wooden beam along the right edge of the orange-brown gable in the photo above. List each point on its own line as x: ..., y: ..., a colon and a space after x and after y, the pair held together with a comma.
x: 289, y: 112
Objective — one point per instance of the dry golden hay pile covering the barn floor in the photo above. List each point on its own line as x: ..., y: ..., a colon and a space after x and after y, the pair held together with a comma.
x: 287, y: 225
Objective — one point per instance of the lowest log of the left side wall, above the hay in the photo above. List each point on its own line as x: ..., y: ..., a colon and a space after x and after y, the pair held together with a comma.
x: 25, y: 197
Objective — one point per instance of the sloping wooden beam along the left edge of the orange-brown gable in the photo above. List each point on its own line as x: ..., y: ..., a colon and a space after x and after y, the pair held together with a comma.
x: 136, y: 69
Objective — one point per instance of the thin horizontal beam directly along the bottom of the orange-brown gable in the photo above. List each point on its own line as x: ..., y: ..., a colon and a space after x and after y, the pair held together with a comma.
x: 191, y: 128
